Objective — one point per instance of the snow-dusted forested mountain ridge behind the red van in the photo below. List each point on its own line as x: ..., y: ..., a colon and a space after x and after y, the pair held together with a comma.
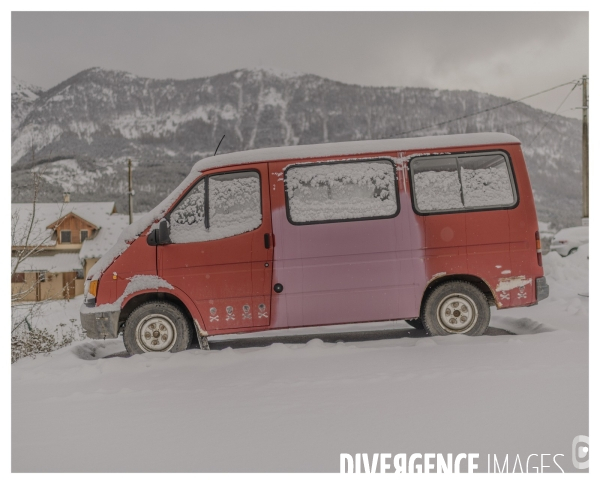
x: 79, y: 134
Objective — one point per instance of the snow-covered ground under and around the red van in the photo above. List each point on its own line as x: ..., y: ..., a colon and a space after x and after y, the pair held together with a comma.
x: 296, y: 407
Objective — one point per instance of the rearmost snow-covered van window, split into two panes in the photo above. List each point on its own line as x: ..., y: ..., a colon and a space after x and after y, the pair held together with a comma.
x: 462, y: 183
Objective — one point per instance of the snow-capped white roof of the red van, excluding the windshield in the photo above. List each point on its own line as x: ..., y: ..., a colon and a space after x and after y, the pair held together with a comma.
x: 350, y: 148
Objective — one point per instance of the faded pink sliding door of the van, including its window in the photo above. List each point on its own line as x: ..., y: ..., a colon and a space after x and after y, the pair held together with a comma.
x: 337, y: 239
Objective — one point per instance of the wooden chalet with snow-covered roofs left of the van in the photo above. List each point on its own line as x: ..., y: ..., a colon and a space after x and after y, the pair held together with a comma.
x: 54, y: 245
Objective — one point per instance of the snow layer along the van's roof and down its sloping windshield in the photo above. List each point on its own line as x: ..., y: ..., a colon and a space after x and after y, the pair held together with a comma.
x: 349, y: 148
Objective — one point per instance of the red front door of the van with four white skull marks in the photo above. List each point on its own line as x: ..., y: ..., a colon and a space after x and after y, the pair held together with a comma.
x: 221, y: 251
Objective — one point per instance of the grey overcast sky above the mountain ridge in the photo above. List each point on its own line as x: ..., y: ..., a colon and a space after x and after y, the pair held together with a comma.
x: 507, y: 54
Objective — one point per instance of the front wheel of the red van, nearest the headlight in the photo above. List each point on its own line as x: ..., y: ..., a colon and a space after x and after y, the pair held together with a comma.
x: 157, y: 326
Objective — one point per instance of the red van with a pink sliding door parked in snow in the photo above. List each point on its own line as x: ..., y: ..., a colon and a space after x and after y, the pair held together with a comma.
x: 433, y: 230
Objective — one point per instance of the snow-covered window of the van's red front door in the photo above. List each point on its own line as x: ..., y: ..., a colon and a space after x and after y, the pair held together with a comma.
x: 218, y: 206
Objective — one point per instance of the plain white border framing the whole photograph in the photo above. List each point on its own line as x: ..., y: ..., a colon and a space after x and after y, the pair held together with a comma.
x: 322, y: 5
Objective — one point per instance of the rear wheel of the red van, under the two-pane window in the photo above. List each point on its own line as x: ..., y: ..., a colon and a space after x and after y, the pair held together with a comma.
x: 446, y: 306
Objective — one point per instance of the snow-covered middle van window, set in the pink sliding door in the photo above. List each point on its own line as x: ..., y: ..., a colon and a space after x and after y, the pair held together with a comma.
x: 341, y: 191
